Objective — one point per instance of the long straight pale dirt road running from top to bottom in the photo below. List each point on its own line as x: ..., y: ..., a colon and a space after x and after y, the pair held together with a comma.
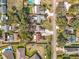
x: 54, y: 38
